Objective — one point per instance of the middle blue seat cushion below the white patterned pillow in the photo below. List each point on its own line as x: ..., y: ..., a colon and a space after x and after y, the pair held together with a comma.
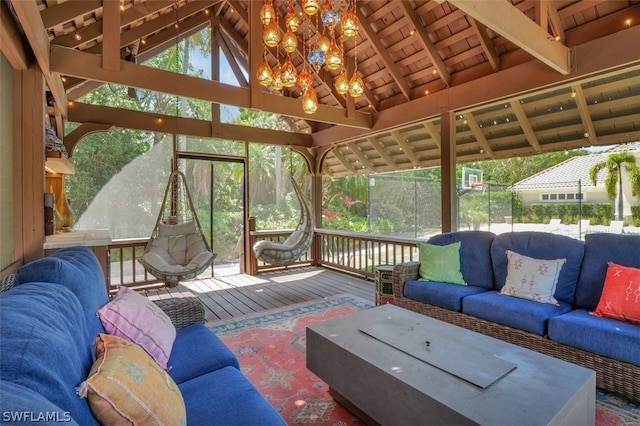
x: 526, y: 315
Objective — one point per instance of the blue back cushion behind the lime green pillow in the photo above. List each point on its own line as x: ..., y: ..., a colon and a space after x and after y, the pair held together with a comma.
x: 475, y: 264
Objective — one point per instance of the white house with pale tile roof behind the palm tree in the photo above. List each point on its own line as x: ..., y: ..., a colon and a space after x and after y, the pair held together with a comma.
x: 564, y: 182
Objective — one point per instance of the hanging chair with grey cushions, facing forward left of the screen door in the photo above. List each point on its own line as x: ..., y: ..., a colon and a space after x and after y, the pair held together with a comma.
x: 177, y: 249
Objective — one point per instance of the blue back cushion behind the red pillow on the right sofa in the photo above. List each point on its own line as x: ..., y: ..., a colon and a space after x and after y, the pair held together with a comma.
x: 598, y: 250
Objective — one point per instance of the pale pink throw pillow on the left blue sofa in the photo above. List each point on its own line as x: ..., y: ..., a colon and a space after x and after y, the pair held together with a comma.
x: 135, y: 318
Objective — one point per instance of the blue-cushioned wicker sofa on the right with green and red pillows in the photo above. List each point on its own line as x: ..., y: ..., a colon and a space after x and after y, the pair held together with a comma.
x: 566, y: 330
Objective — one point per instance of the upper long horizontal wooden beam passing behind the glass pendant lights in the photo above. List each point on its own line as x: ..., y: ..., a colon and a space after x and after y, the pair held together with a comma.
x: 84, y: 65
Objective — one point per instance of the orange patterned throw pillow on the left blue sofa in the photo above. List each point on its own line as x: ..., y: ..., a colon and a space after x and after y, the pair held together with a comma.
x: 125, y: 385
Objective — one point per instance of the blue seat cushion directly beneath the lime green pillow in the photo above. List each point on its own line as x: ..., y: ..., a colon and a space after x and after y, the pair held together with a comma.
x: 444, y: 295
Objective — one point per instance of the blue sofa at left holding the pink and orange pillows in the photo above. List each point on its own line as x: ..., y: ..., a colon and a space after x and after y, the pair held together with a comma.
x: 48, y: 326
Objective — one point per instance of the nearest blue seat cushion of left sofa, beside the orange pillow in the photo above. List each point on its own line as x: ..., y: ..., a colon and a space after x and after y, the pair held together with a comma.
x: 226, y: 397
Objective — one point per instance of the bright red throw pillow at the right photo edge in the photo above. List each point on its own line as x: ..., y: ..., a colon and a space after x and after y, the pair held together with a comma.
x: 621, y: 294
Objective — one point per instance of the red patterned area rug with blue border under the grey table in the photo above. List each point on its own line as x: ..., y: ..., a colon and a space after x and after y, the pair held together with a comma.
x: 271, y: 348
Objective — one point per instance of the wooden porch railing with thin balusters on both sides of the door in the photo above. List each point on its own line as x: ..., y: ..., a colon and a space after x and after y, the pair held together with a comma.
x: 352, y: 252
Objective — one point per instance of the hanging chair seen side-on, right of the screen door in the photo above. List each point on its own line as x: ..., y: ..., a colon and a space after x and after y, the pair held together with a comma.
x: 296, y: 245
